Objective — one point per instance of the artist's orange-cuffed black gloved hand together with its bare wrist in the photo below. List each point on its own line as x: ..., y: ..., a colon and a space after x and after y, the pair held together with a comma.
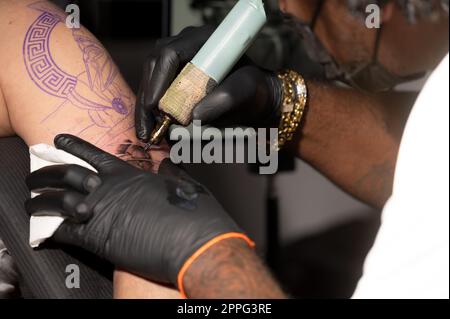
x: 223, y: 263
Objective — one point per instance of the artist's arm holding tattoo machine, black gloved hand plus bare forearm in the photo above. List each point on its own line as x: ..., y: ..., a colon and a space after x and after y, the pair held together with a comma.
x: 351, y: 138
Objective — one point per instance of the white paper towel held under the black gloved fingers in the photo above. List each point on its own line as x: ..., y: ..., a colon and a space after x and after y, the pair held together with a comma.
x: 42, y: 155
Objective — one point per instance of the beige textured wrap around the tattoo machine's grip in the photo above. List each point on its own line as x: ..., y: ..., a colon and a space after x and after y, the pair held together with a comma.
x: 188, y: 89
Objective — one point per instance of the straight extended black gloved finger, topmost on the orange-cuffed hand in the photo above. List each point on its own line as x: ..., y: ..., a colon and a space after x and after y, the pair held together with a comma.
x: 99, y: 159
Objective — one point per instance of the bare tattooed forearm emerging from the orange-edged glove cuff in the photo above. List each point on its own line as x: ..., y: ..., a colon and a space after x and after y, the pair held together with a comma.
x: 230, y: 270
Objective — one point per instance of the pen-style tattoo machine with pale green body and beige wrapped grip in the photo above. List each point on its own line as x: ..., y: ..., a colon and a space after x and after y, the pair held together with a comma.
x: 211, y: 65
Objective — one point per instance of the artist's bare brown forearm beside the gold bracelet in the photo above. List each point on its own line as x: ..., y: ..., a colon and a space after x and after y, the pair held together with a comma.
x: 354, y: 139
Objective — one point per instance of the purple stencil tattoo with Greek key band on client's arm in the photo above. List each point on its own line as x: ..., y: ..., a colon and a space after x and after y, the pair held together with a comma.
x: 93, y: 90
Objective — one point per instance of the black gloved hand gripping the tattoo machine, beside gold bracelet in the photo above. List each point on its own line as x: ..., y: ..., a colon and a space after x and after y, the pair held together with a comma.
x: 249, y: 96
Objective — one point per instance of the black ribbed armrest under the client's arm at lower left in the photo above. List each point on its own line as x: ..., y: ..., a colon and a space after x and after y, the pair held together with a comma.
x: 43, y: 271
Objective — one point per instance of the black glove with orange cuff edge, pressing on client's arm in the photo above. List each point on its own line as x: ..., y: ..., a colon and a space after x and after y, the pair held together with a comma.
x: 147, y: 224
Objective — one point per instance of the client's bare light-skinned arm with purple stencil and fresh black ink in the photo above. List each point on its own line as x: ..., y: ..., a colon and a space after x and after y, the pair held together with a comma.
x: 56, y: 80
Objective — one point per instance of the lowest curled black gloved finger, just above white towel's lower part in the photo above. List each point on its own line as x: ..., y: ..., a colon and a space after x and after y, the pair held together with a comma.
x: 68, y: 204
